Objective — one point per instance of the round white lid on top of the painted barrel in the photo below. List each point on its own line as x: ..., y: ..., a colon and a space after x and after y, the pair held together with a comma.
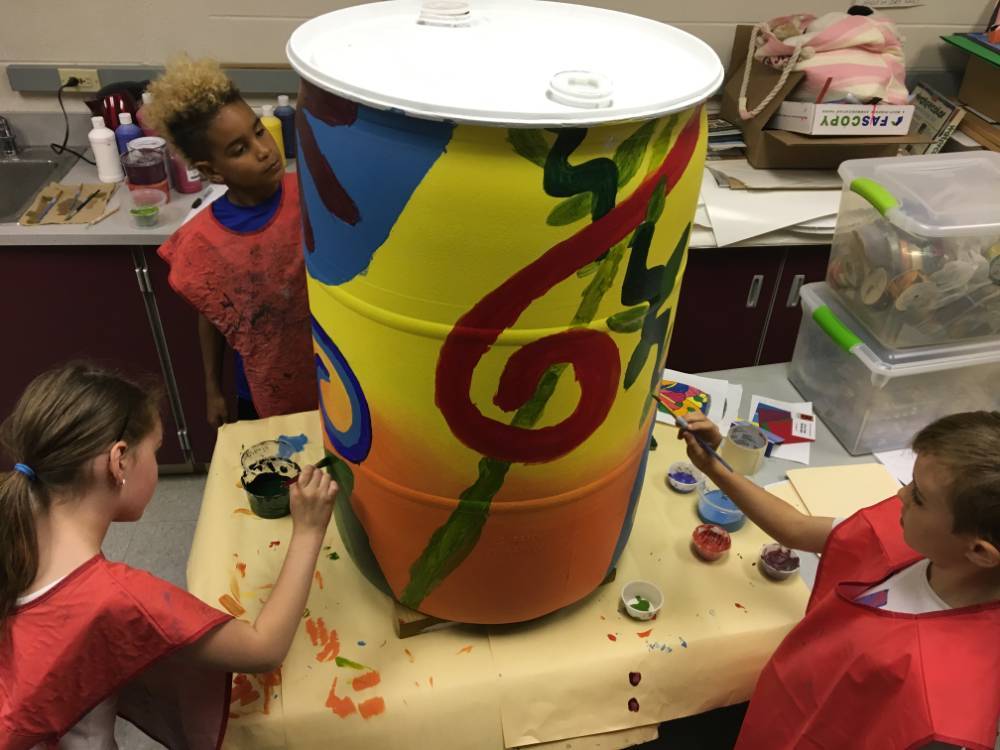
x: 505, y: 62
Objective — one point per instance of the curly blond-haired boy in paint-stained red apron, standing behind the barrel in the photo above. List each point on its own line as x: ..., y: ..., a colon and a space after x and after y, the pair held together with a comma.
x: 239, y: 262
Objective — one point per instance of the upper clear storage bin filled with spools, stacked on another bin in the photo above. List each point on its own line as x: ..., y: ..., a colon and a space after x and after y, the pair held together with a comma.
x: 916, y: 253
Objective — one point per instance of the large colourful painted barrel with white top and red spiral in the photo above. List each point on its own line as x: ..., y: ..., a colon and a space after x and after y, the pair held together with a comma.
x: 497, y: 201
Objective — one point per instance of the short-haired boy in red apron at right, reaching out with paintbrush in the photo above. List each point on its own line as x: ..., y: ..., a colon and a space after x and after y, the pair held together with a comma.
x: 900, y: 643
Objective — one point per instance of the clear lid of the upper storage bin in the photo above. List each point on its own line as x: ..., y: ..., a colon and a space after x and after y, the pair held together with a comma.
x: 938, y: 195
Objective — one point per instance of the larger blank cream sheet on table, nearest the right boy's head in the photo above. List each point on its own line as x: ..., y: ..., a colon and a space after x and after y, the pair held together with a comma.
x: 841, y: 491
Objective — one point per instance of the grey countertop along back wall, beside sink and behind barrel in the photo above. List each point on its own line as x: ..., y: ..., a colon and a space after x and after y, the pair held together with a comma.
x: 118, y: 229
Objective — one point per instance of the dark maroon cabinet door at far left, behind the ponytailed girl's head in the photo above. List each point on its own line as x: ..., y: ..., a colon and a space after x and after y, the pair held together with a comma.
x: 64, y: 303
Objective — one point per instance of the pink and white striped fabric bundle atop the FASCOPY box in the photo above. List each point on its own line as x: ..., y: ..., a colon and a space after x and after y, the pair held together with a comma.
x: 862, y: 55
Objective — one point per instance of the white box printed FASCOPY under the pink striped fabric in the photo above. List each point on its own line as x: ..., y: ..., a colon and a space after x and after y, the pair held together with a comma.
x: 843, y: 119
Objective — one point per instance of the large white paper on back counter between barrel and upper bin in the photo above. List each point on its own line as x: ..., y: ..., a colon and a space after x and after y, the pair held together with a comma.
x: 740, y: 214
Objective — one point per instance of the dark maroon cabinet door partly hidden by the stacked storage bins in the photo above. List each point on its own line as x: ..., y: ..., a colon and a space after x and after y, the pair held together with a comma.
x: 803, y: 265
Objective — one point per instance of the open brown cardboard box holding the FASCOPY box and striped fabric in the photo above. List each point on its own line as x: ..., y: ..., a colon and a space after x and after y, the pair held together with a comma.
x: 780, y: 149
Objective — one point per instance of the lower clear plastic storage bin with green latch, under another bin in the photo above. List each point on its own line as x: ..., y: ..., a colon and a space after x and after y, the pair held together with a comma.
x: 874, y: 398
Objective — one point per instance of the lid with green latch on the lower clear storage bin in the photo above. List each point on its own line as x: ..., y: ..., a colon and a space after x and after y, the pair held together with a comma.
x: 884, y: 362
